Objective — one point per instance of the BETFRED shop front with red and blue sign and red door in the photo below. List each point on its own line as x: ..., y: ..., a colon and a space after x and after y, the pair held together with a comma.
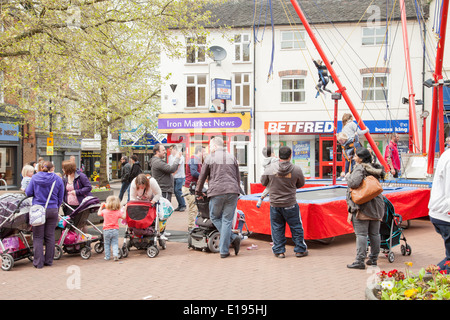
x: 312, y: 142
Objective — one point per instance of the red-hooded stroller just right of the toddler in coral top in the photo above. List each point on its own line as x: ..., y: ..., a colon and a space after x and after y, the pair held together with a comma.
x: 143, y: 230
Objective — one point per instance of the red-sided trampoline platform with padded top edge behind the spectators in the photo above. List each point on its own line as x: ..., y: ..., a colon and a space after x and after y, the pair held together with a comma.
x: 323, y: 209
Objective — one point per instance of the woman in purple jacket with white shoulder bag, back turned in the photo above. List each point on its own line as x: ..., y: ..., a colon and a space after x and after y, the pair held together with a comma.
x: 39, y: 188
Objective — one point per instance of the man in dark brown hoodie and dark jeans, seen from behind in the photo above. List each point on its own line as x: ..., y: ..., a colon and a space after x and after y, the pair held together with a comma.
x: 285, y: 178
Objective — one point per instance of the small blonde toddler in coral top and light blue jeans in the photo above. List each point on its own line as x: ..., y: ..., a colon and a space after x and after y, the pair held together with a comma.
x: 111, y: 213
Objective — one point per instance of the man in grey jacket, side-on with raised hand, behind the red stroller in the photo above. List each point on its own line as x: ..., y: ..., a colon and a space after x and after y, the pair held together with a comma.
x: 162, y: 171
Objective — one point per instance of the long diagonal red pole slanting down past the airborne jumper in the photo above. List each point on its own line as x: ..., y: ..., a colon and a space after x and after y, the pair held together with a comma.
x: 342, y: 89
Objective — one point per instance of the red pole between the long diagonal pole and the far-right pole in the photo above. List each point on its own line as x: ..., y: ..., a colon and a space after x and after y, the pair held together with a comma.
x: 414, y: 131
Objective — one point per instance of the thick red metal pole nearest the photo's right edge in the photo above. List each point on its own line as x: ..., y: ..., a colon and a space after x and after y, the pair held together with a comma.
x: 438, y: 104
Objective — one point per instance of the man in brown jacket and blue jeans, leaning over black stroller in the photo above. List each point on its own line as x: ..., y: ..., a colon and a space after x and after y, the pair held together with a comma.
x: 222, y: 171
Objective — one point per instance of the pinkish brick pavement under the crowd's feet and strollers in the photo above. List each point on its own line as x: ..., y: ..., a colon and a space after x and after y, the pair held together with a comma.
x: 178, y: 273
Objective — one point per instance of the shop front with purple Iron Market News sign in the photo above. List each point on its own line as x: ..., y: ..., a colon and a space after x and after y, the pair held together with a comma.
x: 190, y: 130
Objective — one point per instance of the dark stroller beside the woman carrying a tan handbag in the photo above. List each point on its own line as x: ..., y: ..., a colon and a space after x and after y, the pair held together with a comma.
x: 391, y: 233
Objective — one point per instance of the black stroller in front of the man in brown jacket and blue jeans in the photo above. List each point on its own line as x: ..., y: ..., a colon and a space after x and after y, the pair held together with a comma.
x: 205, y: 236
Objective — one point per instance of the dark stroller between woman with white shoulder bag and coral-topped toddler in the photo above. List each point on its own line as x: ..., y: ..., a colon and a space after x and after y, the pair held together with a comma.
x: 73, y: 239
